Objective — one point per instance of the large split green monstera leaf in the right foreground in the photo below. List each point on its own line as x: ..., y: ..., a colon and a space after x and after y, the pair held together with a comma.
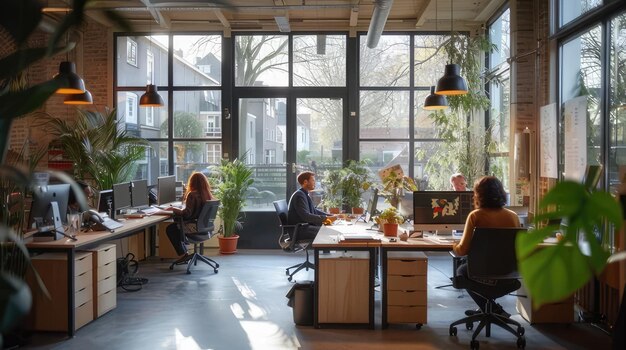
x: 552, y: 273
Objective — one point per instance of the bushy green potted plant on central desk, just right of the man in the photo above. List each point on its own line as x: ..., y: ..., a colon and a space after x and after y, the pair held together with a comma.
x: 354, y: 181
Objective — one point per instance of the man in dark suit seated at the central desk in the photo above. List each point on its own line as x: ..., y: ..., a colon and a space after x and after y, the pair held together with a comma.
x: 301, y: 208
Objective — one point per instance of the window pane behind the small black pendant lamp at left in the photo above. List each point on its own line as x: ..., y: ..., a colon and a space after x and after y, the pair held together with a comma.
x: 146, y: 122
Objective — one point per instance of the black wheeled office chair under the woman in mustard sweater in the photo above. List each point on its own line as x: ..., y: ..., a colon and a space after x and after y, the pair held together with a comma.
x: 491, y: 256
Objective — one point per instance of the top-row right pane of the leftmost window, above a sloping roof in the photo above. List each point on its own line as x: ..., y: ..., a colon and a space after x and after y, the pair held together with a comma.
x: 198, y: 60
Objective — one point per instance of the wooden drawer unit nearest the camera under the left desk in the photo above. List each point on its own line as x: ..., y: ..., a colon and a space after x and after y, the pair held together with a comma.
x: 51, y: 314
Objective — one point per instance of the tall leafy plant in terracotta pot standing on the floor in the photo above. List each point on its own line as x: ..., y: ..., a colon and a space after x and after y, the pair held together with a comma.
x: 234, y: 179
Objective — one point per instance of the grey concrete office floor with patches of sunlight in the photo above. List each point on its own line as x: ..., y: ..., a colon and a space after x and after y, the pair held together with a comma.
x: 244, y: 307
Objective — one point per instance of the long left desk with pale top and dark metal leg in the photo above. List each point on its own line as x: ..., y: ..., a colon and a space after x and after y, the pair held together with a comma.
x: 86, y: 240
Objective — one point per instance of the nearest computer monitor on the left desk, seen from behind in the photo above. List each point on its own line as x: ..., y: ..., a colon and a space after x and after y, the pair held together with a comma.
x: 41, y: 212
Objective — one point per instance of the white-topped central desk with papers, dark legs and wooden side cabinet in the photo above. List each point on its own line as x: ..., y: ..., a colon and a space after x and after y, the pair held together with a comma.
x: 328, y: 239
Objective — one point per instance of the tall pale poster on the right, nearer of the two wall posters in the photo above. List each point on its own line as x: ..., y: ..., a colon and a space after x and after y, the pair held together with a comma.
x: 575, y: 137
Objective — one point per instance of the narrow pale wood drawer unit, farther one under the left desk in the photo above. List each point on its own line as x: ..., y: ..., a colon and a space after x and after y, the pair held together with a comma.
x: 104, y: 279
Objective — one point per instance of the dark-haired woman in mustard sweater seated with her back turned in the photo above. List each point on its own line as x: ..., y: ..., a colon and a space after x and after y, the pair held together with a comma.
x: 489, y: 201
